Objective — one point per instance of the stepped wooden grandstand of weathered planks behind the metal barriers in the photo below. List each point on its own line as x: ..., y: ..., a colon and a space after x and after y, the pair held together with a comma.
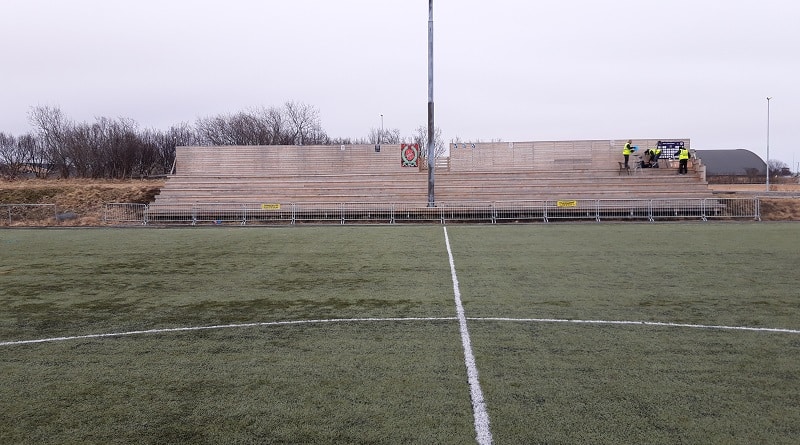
x: 479, y: 172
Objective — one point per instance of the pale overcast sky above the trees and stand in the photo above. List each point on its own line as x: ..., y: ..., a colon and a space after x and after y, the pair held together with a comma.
x: 515, y: 70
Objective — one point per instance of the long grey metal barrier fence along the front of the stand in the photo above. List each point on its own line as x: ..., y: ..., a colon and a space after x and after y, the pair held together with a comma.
x: 444, y: 212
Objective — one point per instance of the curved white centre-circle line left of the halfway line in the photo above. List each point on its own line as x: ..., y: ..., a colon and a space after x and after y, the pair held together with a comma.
x: 213, y: 327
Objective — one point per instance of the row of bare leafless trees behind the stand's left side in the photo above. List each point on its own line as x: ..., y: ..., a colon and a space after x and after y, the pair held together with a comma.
x: 119, y: 148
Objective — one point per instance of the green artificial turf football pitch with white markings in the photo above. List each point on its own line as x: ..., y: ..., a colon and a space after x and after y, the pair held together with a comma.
x: 581, y: 333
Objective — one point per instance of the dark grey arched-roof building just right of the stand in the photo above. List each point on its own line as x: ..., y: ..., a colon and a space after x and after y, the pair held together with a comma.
x: 732, y: 166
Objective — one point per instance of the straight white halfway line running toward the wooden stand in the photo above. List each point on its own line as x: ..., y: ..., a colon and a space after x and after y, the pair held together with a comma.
x: 482, y: 430
